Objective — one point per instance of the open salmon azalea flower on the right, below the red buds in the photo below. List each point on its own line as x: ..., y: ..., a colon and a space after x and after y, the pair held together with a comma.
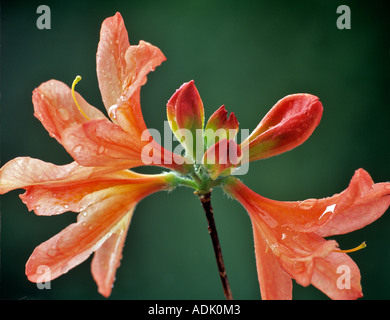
x: 289, y: 239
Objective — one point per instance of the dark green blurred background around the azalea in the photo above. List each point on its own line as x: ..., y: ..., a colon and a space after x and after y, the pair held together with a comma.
x: 244, y: 54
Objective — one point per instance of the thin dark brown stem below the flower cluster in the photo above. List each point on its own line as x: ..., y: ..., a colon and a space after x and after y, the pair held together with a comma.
x: 205, y: 199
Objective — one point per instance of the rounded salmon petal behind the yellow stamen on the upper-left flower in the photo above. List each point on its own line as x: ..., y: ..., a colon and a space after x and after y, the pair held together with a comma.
x: 54, y: 106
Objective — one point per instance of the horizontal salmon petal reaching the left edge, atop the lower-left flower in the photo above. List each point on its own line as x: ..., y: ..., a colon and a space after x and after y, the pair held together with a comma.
x: 52, y: 189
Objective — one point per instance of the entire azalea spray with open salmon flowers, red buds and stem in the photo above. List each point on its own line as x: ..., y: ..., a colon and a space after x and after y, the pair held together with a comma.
x: 101, y: 188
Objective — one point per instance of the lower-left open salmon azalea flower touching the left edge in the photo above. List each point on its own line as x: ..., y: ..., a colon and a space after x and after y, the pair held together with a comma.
x: 105, y: 202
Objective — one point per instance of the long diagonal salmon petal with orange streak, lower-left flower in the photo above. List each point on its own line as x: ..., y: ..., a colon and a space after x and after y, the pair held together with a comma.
x: 75, y: 243
